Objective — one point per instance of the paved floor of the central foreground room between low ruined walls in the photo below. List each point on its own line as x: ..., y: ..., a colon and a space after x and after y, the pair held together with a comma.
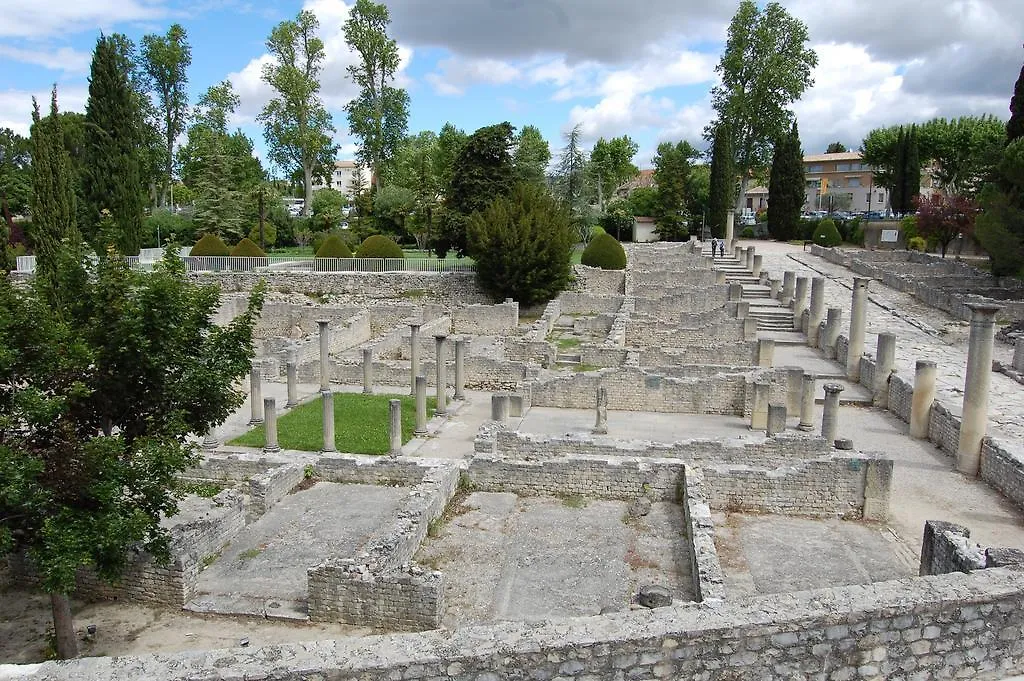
x: 552, y: 558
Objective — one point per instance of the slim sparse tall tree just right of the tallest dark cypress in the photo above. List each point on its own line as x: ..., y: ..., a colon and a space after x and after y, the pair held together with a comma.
x: 165, y: 61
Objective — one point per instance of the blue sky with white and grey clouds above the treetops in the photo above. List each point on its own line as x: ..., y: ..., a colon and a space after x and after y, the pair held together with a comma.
x: 639, y: 68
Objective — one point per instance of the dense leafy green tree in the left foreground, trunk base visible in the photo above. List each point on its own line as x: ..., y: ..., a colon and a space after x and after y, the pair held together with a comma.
x: 99, y: 397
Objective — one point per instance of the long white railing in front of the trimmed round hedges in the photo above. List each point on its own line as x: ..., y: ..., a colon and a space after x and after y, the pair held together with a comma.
x: 149, y: 258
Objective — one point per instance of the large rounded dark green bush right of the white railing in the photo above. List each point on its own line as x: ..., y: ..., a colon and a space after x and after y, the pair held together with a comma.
x: 523, y: 245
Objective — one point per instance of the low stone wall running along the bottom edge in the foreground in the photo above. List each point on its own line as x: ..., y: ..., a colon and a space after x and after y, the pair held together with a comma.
x: 965, y: 626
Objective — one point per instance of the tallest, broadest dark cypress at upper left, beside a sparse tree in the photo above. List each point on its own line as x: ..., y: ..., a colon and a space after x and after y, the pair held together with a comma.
x: 113, y: 144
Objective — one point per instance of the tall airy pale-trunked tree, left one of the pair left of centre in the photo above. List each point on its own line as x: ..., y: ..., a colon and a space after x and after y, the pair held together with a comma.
x: 296, y: 125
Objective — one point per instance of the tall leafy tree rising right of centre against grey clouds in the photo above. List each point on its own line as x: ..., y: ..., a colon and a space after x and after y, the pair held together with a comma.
x: 766, y: 67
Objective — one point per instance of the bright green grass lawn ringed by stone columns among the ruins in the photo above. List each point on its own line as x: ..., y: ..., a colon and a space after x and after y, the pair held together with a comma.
x: 361, y: 424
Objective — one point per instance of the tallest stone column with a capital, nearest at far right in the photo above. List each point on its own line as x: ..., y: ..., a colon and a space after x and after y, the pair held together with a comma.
x: 974, y: 421
